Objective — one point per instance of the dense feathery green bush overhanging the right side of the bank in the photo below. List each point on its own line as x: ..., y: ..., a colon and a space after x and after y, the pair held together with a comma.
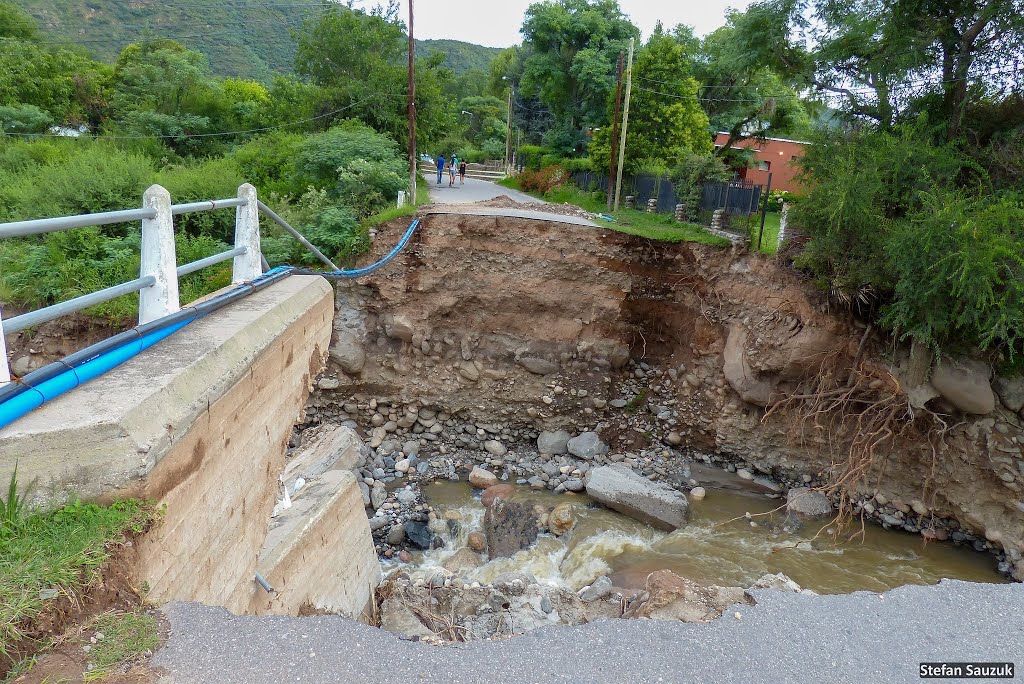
x: 916, y: 236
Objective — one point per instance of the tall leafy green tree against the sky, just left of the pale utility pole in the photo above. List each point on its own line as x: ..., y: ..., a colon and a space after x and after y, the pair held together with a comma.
x: 572, y: 49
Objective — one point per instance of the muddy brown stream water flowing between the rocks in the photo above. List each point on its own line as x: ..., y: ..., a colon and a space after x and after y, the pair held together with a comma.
x: 715, y: 548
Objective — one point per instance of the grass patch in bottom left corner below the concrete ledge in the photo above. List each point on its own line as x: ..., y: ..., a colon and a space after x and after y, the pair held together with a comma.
x: 60, y: 550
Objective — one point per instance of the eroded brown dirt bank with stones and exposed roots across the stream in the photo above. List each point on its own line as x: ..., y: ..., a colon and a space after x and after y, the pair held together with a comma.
x: 533, y: 326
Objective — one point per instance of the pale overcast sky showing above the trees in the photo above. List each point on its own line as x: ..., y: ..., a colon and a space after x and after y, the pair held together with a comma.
x: 497, y: 23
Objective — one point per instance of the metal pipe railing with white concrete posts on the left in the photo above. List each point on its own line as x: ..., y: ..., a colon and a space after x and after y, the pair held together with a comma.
x: 159, y: 273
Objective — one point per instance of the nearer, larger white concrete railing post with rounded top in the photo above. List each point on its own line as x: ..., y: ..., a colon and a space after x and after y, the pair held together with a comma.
x: 159, y: 259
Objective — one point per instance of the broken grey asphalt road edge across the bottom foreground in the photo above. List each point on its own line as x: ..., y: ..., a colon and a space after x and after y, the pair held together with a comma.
x: 787, y: 638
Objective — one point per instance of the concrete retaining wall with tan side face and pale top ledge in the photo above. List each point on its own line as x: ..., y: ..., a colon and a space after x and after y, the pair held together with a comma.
x: 199, y: 423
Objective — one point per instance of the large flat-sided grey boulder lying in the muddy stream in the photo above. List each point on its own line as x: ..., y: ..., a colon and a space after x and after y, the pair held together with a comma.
x: 622, y: 490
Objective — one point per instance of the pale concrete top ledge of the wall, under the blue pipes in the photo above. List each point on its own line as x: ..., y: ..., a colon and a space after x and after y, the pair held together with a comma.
x: 102, y: 440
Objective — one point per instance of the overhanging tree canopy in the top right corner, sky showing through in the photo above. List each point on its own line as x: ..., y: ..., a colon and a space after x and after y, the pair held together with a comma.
x: 888, y: 62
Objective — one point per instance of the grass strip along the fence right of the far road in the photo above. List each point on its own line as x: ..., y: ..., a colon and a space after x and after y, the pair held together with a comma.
x: 662, y: 228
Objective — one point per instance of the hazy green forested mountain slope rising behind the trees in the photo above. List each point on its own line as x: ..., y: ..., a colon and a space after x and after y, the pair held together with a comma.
x: 246, y: 38
